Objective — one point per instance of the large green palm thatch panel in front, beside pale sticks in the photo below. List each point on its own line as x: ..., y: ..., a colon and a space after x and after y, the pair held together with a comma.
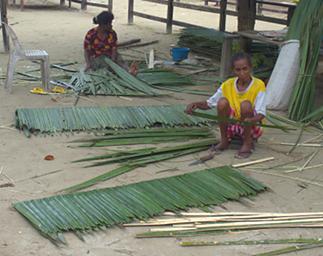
x: 107, y: 207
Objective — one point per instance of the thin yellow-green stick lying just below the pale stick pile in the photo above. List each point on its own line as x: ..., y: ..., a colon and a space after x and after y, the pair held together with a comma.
x: 252, y: 242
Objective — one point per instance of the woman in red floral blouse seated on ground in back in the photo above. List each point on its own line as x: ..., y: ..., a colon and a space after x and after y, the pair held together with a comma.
x: 103, y: 41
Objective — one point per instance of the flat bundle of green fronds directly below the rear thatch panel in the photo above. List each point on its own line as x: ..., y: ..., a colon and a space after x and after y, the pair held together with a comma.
x: 146, y: 136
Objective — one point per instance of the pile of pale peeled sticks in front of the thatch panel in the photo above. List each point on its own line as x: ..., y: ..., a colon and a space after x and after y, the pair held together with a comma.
x: 195, y: 223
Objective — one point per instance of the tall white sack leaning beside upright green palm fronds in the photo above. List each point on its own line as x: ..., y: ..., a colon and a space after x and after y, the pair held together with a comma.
x: 283, y: 77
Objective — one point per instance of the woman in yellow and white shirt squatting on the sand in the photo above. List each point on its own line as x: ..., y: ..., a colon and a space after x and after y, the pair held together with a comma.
x: 241, y: 98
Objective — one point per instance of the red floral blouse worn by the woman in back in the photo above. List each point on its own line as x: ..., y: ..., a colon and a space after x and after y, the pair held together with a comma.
x: 98, y: 45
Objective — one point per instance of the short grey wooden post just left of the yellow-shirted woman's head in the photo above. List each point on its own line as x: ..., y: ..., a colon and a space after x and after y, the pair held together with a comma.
x: 226, y: 54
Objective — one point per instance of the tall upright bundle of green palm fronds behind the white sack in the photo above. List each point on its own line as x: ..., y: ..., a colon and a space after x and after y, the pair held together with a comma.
x: 306, y: 26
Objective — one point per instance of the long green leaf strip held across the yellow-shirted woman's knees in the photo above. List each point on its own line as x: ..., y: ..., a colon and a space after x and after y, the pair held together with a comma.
x: 235, y: 121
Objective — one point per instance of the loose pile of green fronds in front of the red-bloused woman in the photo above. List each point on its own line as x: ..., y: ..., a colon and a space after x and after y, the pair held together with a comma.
x: 111, y: 80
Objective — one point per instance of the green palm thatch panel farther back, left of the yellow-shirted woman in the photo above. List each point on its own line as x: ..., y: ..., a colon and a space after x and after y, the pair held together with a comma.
x: 53, y: 120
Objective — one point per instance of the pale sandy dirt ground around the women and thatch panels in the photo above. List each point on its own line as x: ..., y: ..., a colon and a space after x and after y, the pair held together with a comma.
x: 60, y: 32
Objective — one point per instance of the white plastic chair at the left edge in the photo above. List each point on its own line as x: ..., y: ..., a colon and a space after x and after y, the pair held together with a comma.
x: 18, y: 53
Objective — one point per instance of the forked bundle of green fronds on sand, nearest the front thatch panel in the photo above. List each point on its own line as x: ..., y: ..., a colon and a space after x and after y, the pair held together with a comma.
x: 132, y: 159
